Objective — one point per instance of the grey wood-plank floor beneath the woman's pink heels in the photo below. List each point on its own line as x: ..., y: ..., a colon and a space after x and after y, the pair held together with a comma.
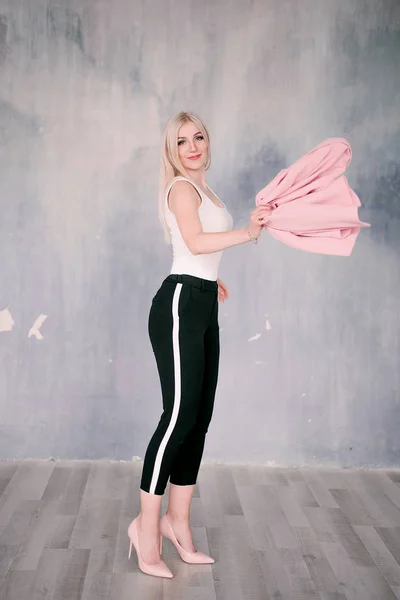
x: 275, y: 534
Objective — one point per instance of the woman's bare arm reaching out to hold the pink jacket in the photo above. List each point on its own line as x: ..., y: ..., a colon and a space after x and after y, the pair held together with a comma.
x: 184, y: 202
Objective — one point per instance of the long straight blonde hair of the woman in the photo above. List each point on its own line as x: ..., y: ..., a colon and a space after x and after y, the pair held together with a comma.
x: 171, y: 165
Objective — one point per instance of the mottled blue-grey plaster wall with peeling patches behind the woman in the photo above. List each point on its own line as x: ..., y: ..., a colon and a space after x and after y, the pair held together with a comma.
x: 85, y: 89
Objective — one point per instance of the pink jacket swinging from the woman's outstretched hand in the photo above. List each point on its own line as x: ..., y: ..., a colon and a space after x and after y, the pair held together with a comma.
x: 314, y: 207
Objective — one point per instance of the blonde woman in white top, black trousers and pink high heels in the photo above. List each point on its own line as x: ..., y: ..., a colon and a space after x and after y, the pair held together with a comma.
x: 184, y: 333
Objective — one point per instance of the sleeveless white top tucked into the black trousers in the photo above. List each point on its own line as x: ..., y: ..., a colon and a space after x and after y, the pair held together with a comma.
x: 213, y: 218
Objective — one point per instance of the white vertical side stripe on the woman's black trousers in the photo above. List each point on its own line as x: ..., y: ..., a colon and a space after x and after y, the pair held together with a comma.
x: 177, y: 394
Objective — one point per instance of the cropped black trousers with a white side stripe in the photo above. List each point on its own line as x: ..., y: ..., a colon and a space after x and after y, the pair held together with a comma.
x: 184, y: 333
